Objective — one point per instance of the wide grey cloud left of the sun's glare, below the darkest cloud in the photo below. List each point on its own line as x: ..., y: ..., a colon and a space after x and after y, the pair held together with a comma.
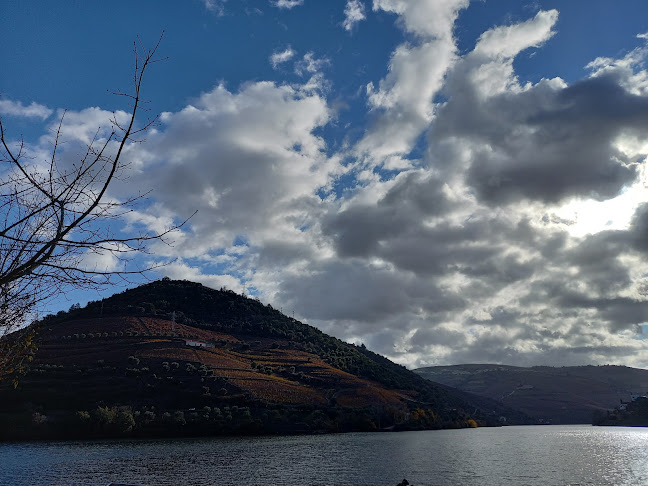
x: 395, y: 230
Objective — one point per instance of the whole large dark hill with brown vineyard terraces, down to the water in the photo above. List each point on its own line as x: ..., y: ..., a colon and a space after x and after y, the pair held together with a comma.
x: 175, y: 357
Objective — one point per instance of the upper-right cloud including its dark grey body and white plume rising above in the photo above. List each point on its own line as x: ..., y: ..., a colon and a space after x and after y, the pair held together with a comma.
x: 518, y: 138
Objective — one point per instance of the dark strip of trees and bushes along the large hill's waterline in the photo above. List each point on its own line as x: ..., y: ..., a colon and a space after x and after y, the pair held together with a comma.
x: 123, y: 423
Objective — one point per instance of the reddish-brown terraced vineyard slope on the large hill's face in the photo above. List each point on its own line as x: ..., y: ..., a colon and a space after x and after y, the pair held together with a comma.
x: 165, y: 357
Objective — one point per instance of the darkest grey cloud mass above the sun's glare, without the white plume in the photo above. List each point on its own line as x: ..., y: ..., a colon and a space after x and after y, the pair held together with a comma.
x: 545, y: 143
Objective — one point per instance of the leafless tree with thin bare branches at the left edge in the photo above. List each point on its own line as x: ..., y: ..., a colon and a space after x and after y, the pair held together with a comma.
x: 53, y: 213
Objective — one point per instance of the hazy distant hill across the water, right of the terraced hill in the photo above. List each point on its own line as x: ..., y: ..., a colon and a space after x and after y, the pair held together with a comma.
x: 560, y: 395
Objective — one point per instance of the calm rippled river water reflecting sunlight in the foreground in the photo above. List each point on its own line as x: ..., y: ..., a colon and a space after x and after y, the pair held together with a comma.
x: 541, y: 455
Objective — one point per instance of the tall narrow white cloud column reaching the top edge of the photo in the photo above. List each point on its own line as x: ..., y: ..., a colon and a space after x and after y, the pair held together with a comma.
x: 403, y: 101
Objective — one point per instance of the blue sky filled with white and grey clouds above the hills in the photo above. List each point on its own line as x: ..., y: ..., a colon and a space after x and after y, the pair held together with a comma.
x: 445, y: 181
